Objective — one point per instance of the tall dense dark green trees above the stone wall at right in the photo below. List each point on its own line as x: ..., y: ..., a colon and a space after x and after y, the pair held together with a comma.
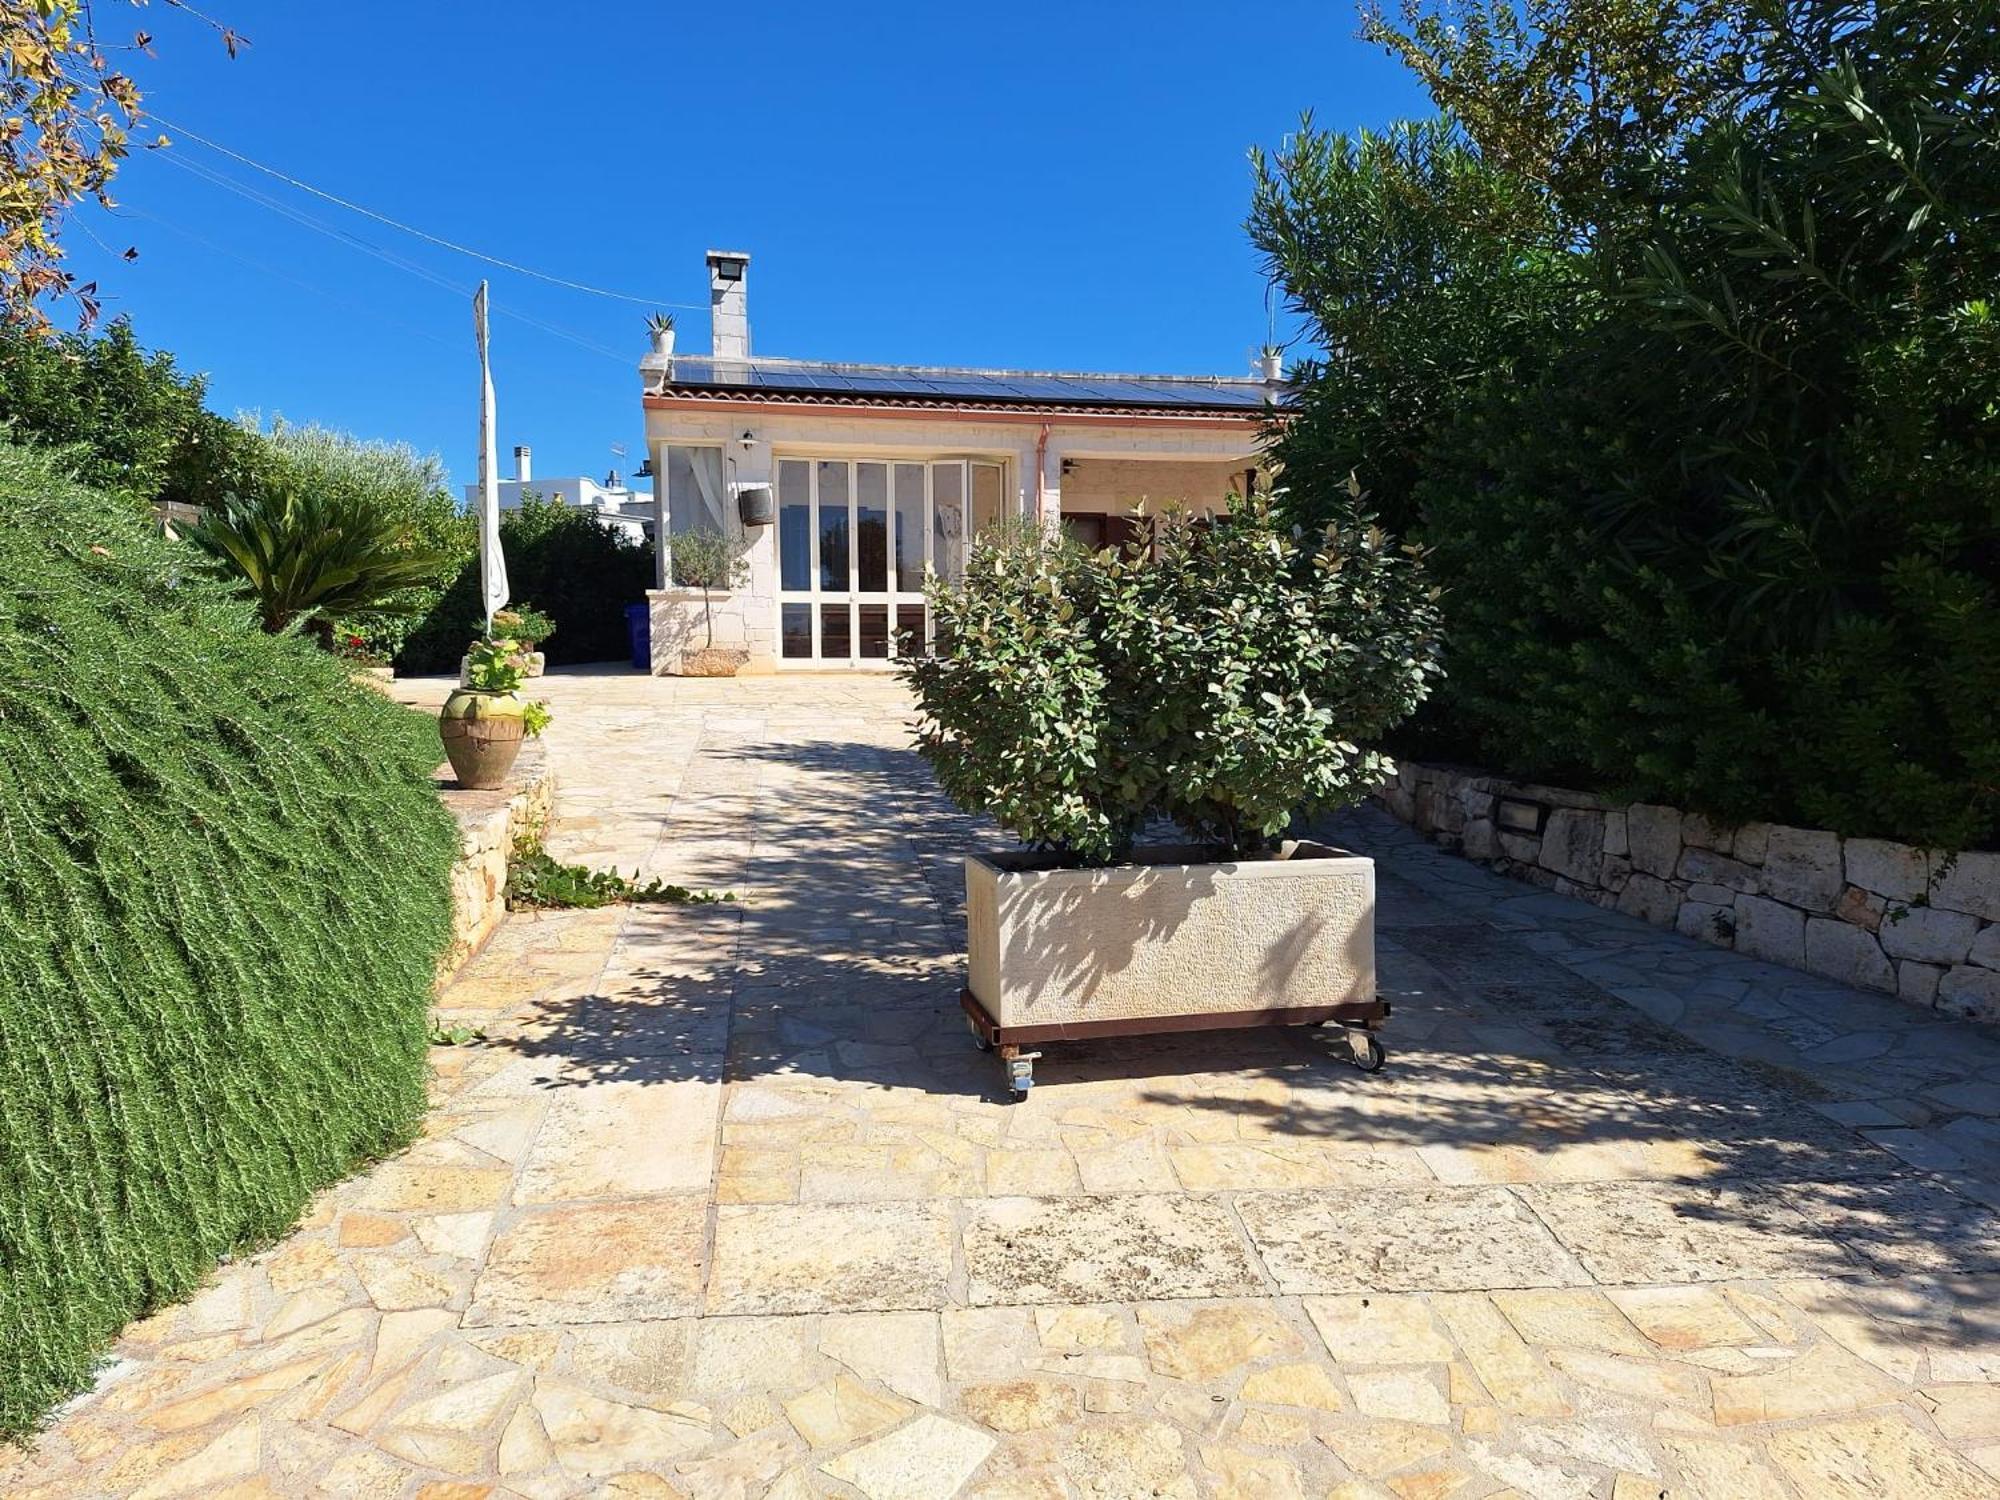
x: 1713, y: 493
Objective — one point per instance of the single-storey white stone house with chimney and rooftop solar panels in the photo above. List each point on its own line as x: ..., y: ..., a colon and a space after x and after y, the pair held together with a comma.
x: 875, y: 477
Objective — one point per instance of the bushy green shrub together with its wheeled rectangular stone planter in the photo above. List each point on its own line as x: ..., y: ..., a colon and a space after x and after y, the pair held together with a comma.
x: 1225, y: 681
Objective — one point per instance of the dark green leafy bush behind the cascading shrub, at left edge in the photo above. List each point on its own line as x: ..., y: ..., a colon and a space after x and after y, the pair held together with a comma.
x: 131, y: 423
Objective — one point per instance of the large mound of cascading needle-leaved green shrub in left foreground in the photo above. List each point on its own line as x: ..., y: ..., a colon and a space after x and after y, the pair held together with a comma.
x: 223, y: 895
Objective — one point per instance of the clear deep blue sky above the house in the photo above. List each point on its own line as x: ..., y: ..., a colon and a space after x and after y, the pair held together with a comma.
x: 1027, y: 185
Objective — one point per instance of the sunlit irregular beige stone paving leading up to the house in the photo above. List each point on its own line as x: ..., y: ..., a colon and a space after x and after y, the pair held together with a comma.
x: 729, y: 1205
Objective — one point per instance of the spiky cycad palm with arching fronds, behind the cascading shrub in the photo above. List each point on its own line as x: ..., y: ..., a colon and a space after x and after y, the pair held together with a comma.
x: 309, y: 559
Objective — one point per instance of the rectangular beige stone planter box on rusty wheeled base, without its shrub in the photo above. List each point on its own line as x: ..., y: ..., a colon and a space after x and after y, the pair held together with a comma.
x: 1169, y: 945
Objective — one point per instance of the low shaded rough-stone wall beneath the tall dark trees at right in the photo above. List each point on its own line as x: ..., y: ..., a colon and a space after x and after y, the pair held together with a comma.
x: 1863, y: 911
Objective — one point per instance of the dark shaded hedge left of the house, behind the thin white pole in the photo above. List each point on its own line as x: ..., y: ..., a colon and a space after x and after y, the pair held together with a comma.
x: 581, y: 571
